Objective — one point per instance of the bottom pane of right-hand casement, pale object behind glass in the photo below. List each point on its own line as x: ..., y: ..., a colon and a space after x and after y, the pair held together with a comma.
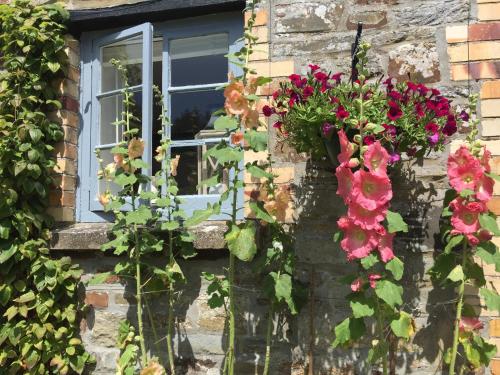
x: 192, y: 169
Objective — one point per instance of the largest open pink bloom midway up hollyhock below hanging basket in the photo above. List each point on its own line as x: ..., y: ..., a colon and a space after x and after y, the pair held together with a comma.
x: 370, y: 190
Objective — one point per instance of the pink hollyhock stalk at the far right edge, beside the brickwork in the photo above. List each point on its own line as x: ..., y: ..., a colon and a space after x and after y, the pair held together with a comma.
x: 468, y: 230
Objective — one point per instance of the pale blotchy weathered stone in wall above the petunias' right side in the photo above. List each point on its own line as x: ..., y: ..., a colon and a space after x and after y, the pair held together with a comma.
x: 420, y: 62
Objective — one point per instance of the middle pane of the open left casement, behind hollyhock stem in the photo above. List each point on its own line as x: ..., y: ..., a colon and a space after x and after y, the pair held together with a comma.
x: 112, y: 111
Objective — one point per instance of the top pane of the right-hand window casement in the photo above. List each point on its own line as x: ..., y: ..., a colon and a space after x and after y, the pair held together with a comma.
x: 199, y: 60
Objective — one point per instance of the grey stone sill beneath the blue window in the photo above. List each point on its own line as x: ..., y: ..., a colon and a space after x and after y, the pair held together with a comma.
x: 90, y: 236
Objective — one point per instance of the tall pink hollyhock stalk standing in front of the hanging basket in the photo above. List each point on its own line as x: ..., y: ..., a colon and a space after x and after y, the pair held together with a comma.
x: 367, y: 232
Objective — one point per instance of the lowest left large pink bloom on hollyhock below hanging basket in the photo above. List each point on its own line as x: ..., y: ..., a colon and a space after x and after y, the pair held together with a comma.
x: 357, y: 242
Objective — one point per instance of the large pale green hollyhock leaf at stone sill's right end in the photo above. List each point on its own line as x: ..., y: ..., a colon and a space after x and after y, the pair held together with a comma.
x: 241, y: 241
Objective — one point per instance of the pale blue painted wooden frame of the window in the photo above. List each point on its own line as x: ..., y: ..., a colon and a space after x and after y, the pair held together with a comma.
x: 88, y: 209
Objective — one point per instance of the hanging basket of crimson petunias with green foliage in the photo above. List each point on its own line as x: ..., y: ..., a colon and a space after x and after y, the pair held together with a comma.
x: 405, y: 117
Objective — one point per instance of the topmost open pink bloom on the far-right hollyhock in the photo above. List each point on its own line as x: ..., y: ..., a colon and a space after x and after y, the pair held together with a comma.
x: 464, y: 170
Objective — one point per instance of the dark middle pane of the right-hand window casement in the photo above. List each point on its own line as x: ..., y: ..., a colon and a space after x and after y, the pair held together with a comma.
x: 192, y: 112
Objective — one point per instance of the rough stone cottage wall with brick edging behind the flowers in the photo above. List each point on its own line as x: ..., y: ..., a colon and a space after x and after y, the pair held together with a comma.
x: 424, y: 39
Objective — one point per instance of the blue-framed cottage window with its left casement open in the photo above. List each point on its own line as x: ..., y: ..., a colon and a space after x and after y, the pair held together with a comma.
x: 186, y: 59
